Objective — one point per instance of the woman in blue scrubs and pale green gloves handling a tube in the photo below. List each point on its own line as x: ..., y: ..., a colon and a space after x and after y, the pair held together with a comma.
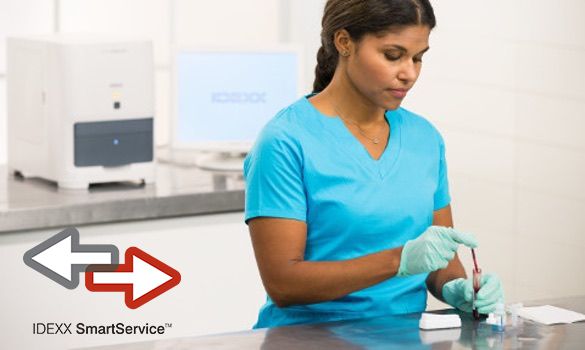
x: 347, y: 196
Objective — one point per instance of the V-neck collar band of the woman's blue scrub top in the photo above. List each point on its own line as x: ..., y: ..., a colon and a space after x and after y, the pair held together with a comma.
x: 381, y: 167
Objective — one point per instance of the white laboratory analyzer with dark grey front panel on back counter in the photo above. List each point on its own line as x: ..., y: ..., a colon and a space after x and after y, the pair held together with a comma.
x: 80, y: 109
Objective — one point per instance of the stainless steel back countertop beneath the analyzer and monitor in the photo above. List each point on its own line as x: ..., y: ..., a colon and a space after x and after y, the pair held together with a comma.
x: 27, y: 204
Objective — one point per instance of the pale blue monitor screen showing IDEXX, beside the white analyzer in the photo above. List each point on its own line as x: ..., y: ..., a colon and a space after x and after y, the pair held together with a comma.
x: 224, y: 97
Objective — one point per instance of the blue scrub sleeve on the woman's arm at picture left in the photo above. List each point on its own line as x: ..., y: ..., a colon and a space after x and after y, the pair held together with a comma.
x: 273, y: 175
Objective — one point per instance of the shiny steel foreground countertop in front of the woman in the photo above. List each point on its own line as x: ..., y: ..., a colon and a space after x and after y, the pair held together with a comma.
x: 395, y: 332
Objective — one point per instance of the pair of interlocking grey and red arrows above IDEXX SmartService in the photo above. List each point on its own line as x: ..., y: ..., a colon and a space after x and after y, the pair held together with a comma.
x: 142, y: 277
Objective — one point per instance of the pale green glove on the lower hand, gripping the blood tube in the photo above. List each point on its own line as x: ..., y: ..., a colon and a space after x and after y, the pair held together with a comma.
x: 459, y: 293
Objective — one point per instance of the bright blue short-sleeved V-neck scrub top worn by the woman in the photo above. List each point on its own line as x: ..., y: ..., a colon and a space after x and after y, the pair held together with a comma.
x: 309, y: 167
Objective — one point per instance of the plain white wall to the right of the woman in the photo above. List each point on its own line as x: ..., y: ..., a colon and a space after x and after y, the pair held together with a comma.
x: 504, y: 83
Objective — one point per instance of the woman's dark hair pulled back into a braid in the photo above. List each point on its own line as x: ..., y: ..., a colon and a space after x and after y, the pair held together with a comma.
x: 361, y: 17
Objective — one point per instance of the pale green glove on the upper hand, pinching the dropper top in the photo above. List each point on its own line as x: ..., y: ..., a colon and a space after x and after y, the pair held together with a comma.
x: 432, y: 250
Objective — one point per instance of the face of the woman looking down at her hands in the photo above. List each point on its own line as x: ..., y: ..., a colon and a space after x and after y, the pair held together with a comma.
x: 383, y: 68
